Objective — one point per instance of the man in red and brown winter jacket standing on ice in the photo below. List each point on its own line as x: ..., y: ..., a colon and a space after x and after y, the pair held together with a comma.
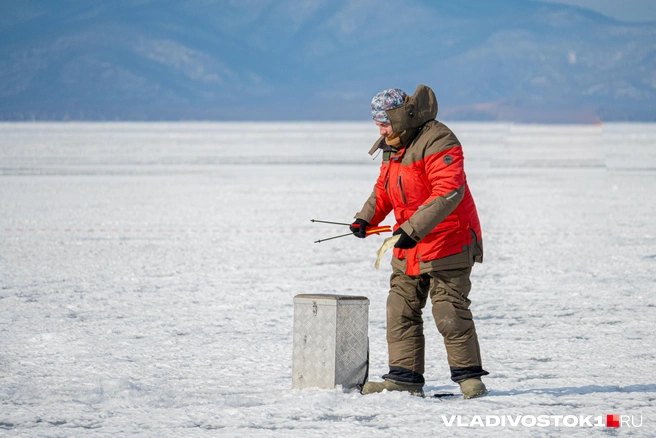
x: 422, y: 179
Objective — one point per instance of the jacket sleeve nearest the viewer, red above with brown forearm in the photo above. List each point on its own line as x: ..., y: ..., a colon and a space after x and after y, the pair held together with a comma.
x: 444, y: 168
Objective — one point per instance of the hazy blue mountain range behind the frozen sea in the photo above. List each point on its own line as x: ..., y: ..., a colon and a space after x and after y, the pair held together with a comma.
x: 320, y: 60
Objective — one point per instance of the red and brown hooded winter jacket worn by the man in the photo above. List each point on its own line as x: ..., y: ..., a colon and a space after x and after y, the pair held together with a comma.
x: 424, y: 182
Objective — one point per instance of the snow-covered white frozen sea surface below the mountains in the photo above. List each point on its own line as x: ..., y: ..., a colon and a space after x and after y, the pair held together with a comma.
x: 148, y: 271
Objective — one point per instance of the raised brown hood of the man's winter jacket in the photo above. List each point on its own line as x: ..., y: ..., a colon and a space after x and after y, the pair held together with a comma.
x: 420, y: 108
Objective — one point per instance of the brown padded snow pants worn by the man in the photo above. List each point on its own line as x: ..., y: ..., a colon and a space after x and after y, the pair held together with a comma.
x: 448, y: 291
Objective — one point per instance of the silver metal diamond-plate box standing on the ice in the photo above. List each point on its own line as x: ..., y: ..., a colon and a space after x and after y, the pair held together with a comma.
x: 330, y: 341
